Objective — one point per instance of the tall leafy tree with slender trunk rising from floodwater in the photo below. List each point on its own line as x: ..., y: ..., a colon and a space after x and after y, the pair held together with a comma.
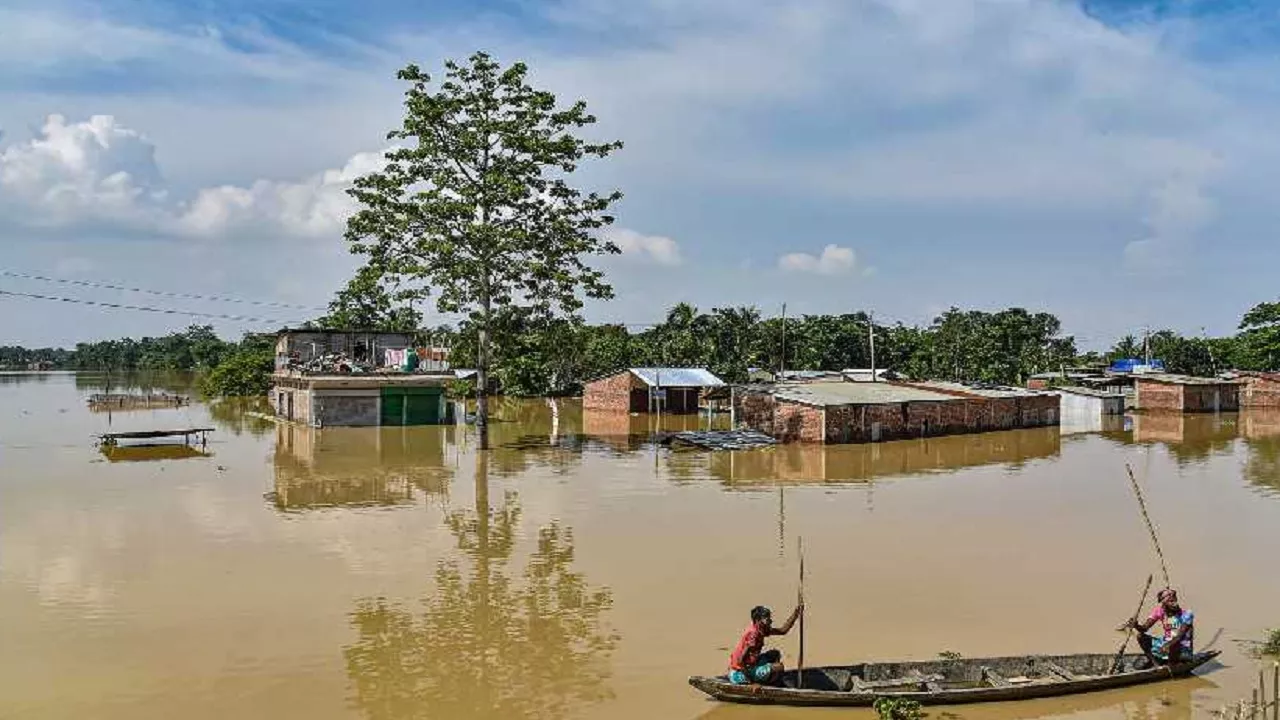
x: 476, y: 206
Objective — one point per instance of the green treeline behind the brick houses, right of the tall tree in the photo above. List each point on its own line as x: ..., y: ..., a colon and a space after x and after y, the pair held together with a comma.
x: 547, y: 358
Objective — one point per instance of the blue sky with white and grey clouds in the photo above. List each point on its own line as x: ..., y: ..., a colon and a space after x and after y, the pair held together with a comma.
x: 1109, y: 161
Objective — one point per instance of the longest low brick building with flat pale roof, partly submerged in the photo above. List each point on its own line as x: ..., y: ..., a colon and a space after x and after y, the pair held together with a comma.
x: 874, y: 412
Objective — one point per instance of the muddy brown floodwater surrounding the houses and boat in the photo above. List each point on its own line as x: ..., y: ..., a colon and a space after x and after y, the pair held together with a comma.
x: 579, y: 571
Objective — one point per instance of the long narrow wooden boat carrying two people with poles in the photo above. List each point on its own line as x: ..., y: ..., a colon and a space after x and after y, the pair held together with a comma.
x: 953, y: 682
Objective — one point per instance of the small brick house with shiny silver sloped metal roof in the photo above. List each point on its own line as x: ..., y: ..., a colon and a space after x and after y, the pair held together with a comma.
x: 651, y: 390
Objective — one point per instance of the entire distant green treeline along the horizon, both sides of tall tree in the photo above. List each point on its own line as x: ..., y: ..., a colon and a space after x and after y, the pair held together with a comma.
x: 537, y: 357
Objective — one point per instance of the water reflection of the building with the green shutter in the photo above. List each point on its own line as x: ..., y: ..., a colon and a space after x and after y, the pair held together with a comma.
x: 359, y: 467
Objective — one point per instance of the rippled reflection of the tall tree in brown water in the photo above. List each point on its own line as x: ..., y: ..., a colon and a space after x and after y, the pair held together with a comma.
x: 487, y: 645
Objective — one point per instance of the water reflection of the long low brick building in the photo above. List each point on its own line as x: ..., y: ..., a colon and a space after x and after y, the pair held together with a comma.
x: 803, y: 463
